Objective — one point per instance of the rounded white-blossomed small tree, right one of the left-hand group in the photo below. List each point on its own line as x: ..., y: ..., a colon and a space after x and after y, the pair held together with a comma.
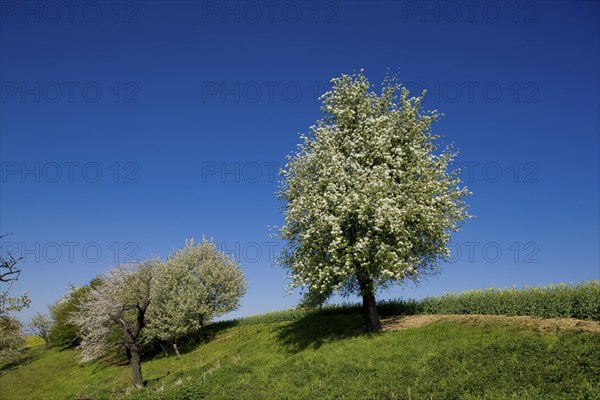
x: 195, y: 285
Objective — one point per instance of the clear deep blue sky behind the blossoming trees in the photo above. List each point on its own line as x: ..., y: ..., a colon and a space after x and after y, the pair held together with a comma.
x: 128, y: 127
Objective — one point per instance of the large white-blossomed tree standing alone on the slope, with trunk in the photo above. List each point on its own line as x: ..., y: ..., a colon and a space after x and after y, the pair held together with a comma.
x: 370, y: 201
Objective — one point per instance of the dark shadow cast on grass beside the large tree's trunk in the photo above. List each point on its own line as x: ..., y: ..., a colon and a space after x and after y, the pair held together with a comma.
x: 316, y: 329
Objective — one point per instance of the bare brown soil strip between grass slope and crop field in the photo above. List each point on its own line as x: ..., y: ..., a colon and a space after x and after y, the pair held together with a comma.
x: 545, y: 325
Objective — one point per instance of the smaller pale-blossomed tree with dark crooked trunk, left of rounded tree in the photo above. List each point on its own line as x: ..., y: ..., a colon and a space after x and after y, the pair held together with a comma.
x: 120, y: 301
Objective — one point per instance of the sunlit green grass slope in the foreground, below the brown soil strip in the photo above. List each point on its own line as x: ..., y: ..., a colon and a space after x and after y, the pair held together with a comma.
x: 324, y: 357
